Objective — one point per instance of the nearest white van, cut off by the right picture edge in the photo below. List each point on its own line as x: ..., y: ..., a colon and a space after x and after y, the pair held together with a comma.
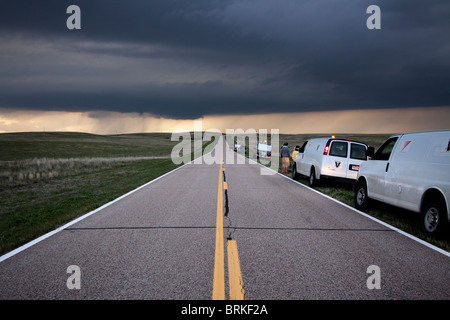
x: 411, y: 171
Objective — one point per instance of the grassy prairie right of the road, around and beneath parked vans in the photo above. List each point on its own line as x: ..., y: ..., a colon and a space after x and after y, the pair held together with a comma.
x: 399, y: 218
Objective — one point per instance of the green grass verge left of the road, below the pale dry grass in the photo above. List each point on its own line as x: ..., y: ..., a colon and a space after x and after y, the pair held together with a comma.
x: 31, y: 210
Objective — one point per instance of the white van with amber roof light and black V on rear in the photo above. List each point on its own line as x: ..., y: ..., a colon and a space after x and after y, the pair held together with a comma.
x: 323, y: 158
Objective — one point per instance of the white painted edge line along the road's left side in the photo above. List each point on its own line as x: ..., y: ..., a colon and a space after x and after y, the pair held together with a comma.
x: 49, y: 234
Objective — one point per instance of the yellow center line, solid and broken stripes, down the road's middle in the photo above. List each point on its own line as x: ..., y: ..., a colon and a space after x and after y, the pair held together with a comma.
x: 234, y: 270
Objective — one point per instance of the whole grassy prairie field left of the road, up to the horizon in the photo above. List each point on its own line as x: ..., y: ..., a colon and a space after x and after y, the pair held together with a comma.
x: 48, y: 179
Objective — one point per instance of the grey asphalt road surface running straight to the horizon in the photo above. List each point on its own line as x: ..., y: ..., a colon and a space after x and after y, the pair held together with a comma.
x: 159, y: 243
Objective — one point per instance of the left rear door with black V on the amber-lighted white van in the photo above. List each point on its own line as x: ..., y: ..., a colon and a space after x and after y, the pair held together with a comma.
x: 336, y: 162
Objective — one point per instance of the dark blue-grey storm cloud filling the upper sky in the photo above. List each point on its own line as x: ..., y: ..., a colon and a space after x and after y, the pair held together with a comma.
x: 185, y: 59
